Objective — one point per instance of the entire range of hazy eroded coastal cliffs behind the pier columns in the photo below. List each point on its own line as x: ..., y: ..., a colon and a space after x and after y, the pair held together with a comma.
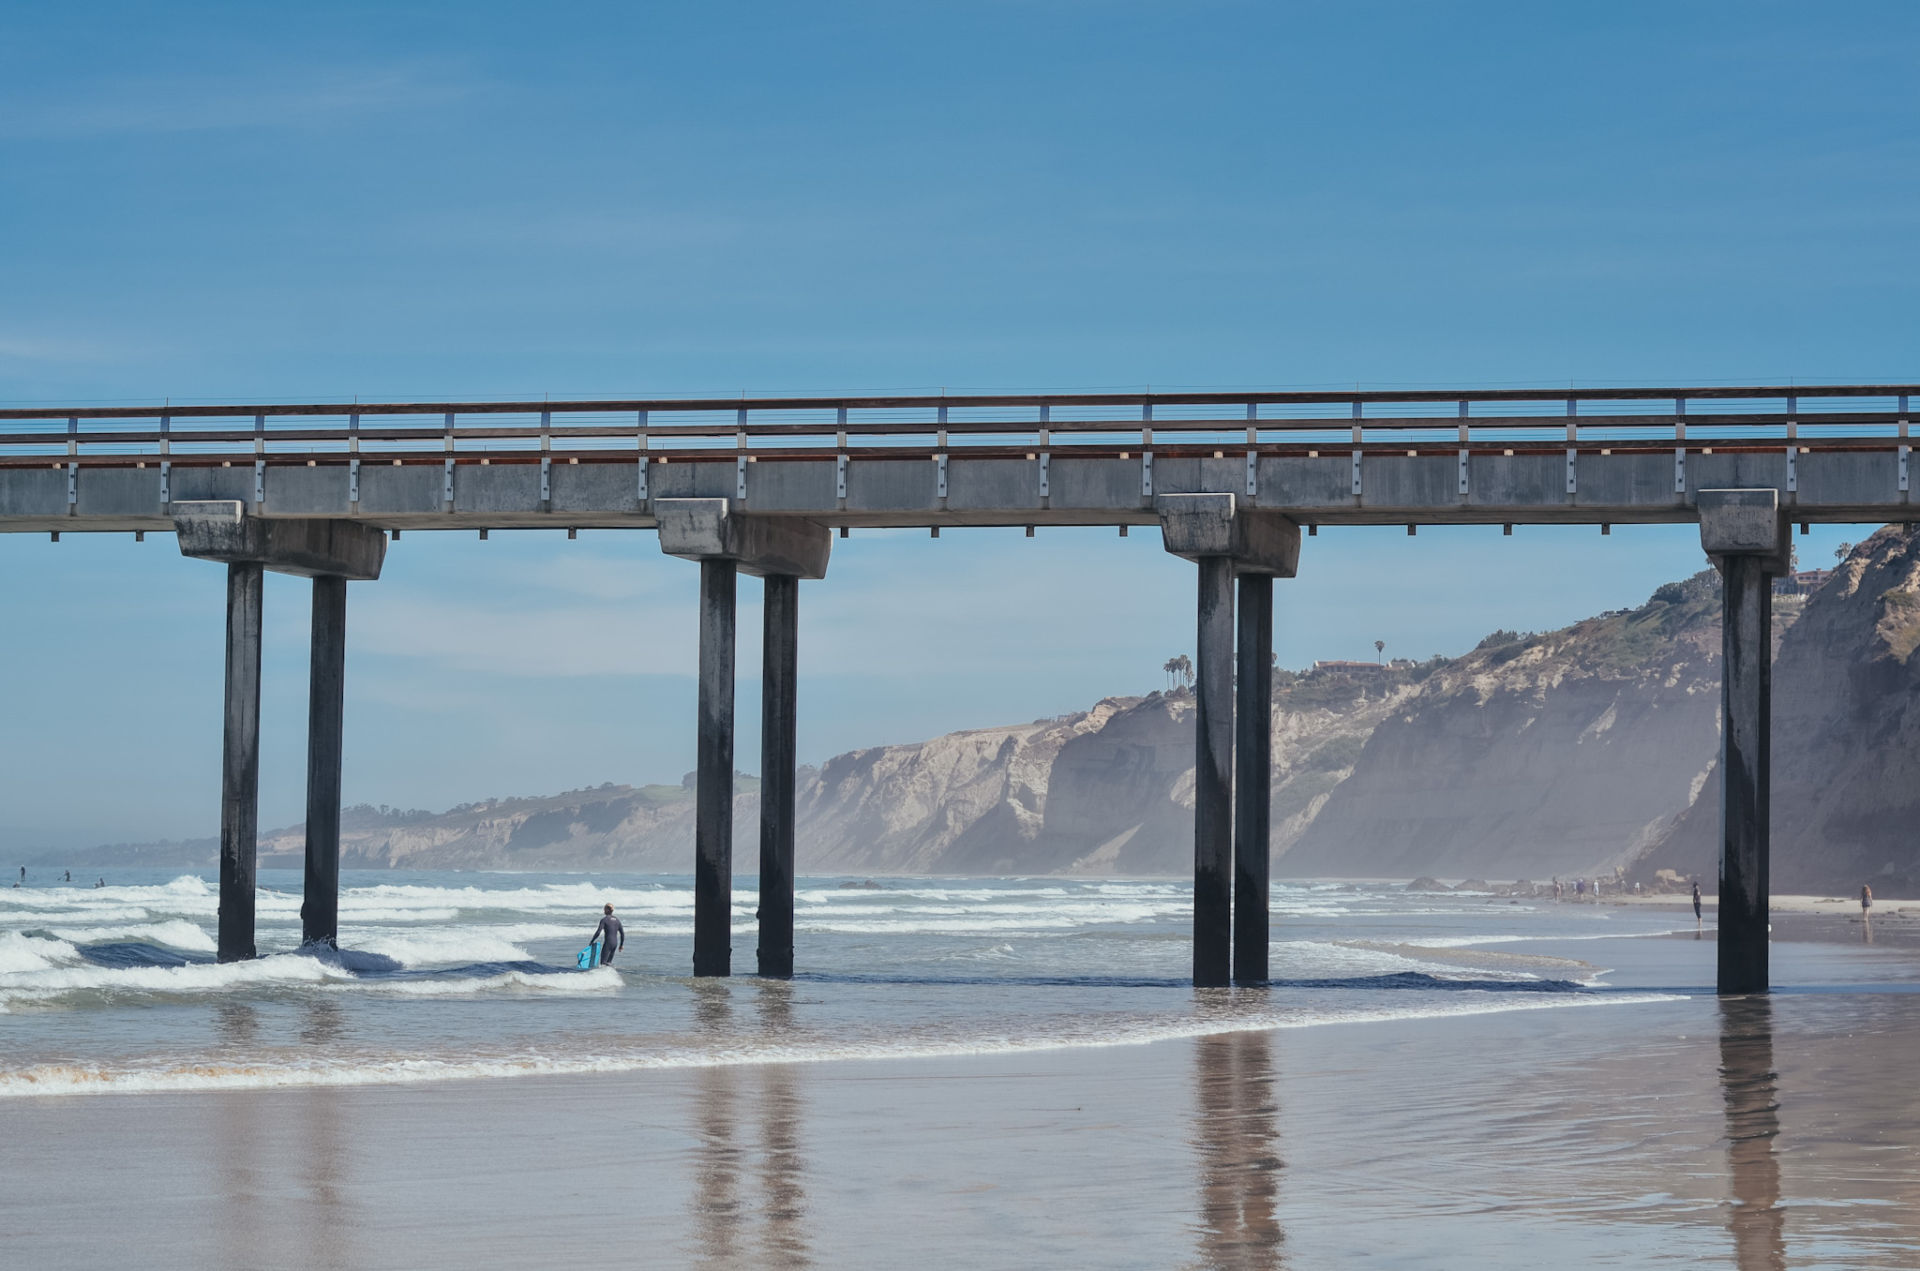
x: 1570, y: 752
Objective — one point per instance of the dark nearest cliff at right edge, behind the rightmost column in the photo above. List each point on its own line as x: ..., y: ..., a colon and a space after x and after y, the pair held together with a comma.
x: 1846, y: 740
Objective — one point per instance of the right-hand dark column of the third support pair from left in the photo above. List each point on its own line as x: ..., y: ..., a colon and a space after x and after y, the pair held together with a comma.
x: 1253, y: 782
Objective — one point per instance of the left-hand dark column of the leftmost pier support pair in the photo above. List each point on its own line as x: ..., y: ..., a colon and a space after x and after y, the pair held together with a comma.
x: 241, y: 763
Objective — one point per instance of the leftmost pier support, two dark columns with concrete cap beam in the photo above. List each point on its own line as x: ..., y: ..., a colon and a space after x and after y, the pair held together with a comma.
x: 329, y: 552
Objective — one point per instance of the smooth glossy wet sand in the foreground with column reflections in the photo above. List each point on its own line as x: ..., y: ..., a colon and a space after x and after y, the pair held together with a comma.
x: 1752, y: 1134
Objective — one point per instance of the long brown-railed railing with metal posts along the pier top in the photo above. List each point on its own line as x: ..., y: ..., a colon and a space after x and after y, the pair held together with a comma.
x: 1798, y: 420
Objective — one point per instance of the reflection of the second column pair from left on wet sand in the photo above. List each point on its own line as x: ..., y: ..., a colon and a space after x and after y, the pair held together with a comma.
x: 725, y: 1230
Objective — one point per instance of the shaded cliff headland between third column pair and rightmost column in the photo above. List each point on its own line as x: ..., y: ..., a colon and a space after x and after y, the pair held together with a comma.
x: 1554, y: 754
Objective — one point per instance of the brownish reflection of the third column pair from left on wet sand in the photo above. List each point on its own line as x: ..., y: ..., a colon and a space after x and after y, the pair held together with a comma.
x: 1237, y: 1147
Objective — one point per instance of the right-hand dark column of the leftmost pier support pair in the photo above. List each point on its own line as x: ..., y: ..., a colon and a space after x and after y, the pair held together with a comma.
x: 320, y: 907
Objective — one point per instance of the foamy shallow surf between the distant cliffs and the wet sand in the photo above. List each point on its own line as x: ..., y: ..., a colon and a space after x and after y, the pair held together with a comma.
x: 473, y: 974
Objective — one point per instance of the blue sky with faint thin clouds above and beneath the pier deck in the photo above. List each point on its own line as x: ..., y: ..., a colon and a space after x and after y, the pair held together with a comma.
x: 208, y: 203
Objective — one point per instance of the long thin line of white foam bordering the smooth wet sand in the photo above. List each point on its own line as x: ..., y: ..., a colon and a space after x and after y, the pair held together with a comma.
x: 395, y: 1070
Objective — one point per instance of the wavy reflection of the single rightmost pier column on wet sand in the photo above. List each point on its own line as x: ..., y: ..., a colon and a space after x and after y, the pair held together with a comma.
x: 1748, y: 1082
